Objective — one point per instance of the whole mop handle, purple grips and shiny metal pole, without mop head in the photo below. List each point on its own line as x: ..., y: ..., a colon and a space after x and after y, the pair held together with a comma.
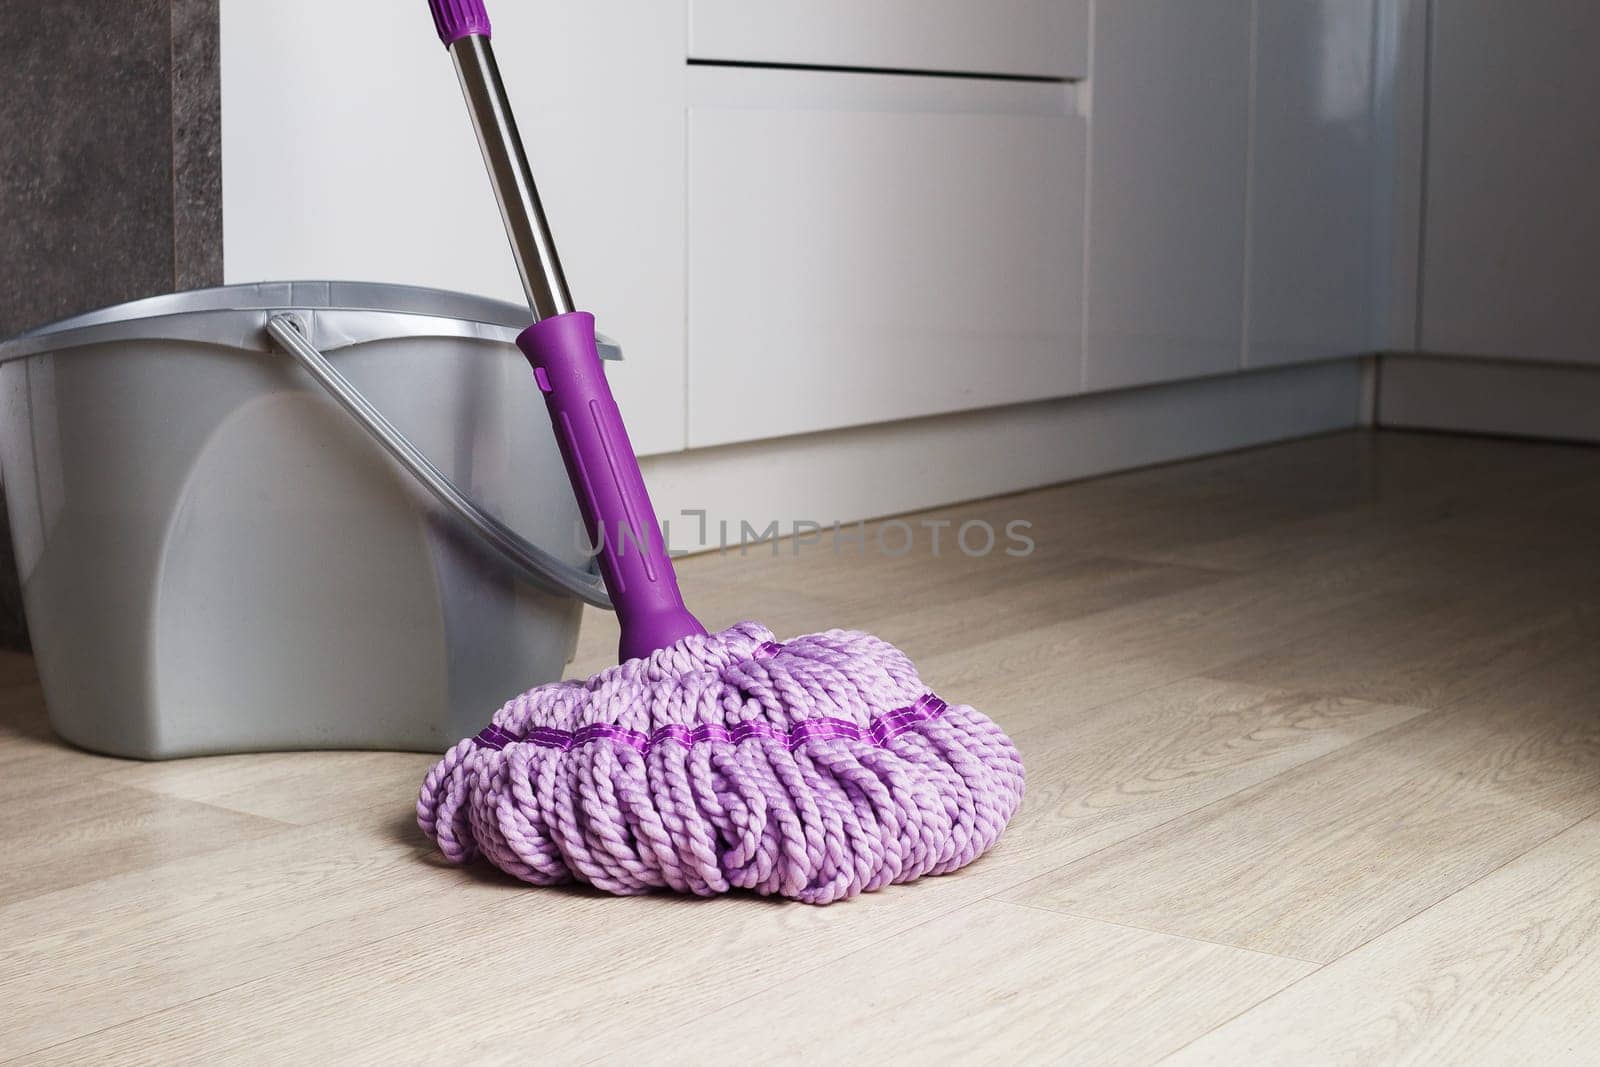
x: 561, y: 345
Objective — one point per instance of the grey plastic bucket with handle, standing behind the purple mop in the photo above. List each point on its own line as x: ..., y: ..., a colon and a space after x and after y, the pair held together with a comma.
x: 230, y: 541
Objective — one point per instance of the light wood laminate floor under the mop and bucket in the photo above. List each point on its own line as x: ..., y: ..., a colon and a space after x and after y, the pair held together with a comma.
x: 1314, y: 777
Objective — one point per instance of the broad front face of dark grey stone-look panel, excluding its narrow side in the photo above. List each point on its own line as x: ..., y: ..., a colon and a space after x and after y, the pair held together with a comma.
x: 86, y: 162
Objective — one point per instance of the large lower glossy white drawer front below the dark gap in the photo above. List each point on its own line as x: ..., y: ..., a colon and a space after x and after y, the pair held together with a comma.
x: 866, y: 249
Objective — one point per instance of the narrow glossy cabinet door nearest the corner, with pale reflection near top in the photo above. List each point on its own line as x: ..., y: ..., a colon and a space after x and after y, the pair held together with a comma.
x: 1314, y: 183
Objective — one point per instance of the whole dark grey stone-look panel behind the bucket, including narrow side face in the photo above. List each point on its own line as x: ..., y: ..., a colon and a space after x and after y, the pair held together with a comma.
x: 111, y: 174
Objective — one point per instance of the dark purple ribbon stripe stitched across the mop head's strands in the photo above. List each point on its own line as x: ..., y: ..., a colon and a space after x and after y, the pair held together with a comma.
x: 879, y: 732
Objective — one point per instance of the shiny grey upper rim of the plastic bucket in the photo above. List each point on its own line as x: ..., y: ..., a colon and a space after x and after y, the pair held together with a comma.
x: 234, y: 316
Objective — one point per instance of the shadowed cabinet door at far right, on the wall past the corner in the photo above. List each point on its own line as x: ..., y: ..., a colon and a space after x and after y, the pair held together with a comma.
x: 1513, y: 222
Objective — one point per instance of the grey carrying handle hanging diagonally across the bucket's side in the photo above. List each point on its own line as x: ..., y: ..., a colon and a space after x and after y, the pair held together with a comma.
x: 534, y: 562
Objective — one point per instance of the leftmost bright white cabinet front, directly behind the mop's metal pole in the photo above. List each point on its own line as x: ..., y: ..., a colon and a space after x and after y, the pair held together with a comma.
x: 348, y: 154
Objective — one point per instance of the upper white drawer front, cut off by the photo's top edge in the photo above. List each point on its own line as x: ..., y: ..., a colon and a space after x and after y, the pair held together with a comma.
x: 1028, y: 38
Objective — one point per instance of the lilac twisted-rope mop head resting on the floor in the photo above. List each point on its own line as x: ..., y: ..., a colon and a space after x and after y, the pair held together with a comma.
x: 815, y: 770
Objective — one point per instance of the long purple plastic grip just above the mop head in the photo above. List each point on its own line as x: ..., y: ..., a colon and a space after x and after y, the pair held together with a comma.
x: 610, y: 489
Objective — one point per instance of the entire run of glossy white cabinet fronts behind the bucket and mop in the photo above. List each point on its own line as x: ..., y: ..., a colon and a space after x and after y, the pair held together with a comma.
x: 790, y: 250
